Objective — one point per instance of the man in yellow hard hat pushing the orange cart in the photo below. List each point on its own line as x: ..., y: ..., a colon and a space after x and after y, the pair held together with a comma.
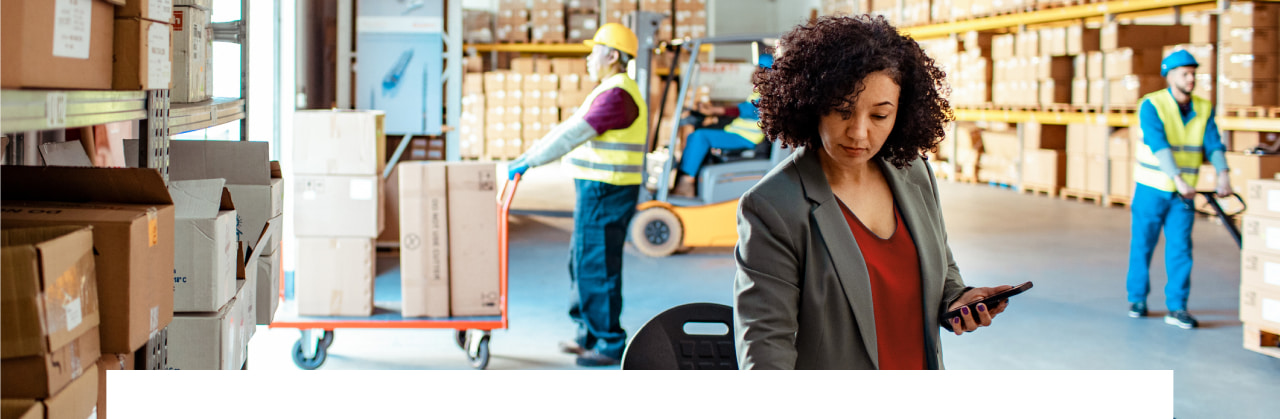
x: 605, y: 147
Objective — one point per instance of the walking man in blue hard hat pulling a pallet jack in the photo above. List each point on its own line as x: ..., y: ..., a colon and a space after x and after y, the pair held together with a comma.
x: 1178, y: 133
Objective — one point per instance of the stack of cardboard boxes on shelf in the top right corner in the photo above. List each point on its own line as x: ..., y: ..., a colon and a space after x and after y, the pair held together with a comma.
x: 1251, y: 49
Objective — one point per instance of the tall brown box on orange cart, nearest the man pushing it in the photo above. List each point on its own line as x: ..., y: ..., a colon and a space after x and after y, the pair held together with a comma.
x: 473, y: 239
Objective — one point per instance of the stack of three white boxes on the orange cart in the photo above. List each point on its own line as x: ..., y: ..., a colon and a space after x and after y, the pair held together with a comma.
x: 339, y: 209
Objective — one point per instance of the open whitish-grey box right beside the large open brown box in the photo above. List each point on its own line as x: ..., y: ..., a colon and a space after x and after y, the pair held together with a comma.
x: 206, y: 248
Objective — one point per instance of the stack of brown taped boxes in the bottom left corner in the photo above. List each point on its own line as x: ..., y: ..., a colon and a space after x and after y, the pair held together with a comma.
x: 52, y: 322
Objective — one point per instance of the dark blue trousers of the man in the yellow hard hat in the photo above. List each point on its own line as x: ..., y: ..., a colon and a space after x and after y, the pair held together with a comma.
x: 601, y: 222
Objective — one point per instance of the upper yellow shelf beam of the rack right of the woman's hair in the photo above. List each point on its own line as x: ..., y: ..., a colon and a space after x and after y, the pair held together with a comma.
x: 1069, y: 13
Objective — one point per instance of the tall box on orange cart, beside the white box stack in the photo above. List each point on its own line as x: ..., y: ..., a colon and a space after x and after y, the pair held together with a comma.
x: 425, y: 240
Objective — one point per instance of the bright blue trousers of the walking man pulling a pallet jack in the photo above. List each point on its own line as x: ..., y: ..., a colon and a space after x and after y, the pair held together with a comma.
x: 1151, y: 212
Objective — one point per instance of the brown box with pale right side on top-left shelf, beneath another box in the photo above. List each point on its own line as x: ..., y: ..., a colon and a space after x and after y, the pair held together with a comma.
x: 142, y: 58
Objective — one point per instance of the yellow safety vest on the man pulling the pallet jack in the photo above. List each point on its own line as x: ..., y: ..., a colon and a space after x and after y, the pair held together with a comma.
x: 1187, y: 142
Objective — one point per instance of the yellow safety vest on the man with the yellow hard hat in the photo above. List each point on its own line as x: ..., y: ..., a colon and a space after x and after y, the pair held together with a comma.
x: 616, y: 157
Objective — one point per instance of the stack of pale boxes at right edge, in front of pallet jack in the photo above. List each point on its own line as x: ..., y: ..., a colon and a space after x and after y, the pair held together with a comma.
x: 1261, y: 268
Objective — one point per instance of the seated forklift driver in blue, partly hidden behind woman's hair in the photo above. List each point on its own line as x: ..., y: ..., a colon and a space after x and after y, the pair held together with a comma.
x: 742, y: 134
